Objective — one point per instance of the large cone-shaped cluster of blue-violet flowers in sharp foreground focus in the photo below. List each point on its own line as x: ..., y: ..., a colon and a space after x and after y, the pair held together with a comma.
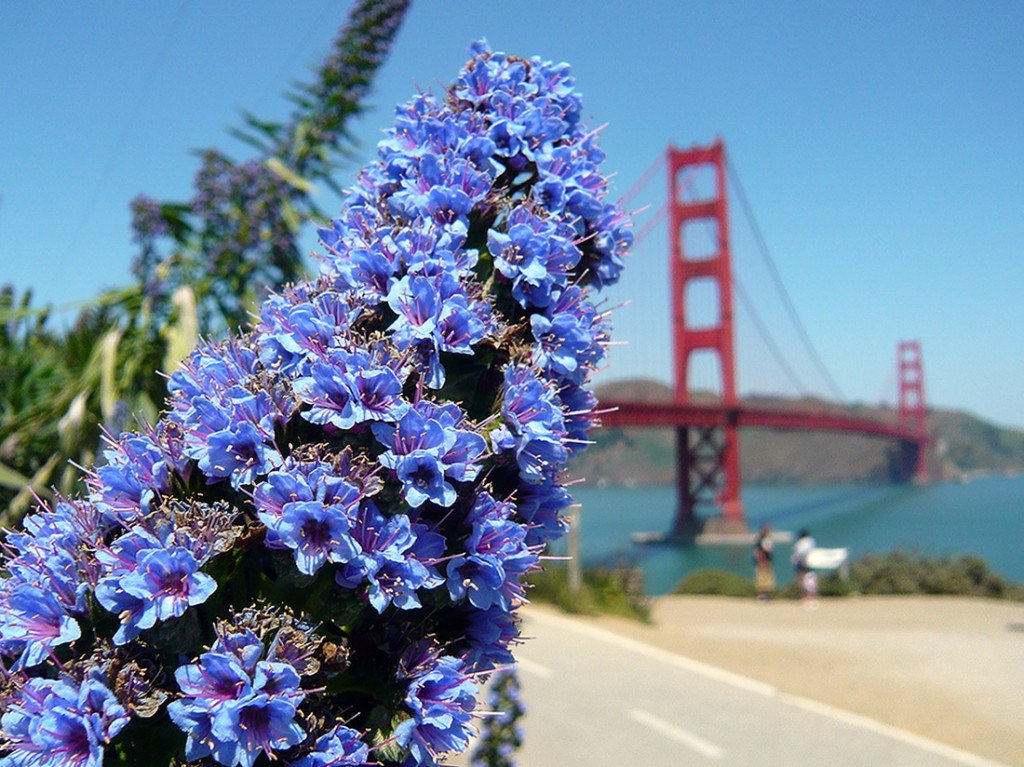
x: 322, y: 545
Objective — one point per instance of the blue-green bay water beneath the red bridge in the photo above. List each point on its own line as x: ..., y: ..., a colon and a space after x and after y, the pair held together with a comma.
x: 984, y: 518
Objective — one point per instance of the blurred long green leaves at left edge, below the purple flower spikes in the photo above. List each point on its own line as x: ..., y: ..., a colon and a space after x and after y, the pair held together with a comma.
x: 59, y: 392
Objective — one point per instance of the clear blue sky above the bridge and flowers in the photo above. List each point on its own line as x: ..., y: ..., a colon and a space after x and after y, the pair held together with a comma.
x: 881, y: 146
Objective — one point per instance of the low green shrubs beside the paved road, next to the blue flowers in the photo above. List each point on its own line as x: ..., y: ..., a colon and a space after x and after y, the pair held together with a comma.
x: 605, y: 590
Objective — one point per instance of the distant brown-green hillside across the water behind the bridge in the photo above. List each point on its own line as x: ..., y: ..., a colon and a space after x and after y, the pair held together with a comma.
x: 963, y: 445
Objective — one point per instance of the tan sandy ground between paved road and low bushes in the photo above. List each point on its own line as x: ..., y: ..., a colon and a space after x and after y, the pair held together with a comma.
x: 949, y: 669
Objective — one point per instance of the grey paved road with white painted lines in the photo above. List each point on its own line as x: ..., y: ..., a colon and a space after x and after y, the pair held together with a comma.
x: 596, y: 699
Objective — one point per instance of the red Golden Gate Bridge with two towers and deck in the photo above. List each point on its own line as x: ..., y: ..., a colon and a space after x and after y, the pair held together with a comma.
x: 708, y: 455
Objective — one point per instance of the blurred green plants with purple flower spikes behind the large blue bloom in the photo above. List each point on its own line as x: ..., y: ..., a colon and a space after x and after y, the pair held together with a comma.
x: 202, y: 266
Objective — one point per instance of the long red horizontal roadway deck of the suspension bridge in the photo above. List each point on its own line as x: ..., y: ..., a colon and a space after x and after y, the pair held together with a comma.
x: 617, y: 414
